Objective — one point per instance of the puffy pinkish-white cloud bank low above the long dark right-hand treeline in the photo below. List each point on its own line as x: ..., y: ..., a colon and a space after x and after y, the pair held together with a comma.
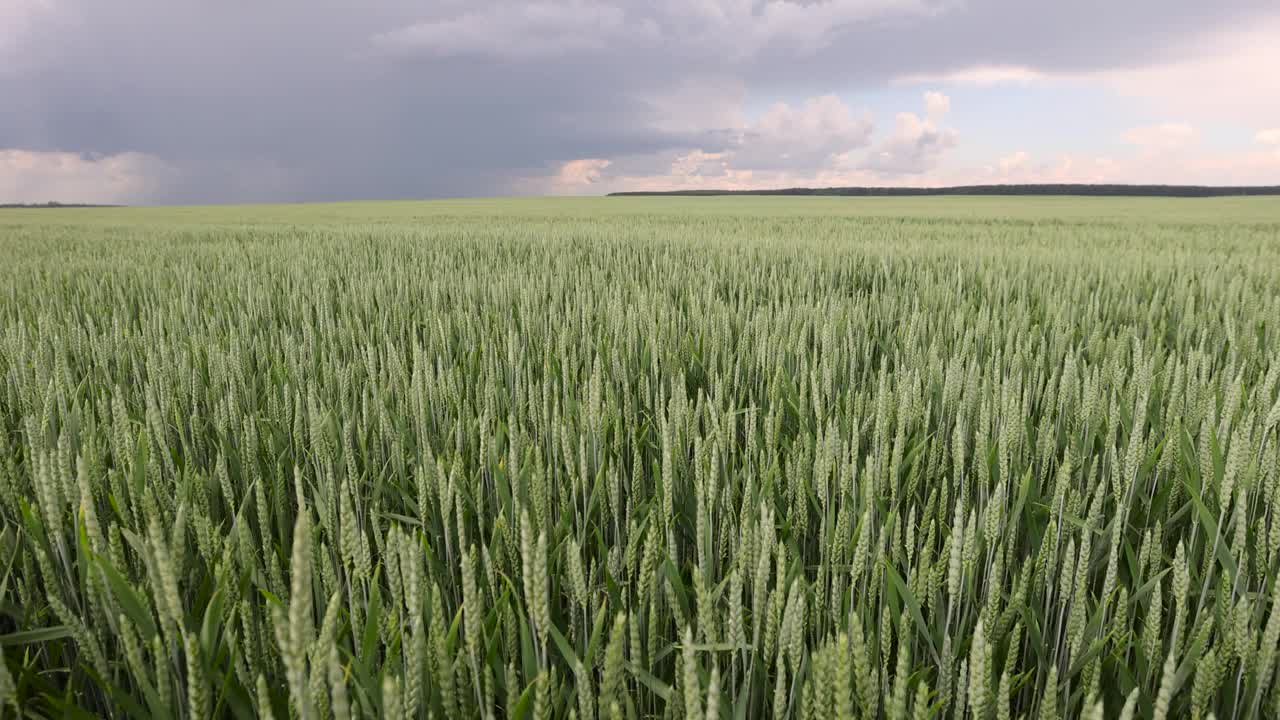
x: 801, y: 147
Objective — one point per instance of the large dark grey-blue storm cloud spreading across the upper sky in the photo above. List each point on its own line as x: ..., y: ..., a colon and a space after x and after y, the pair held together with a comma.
x: 292, y: 101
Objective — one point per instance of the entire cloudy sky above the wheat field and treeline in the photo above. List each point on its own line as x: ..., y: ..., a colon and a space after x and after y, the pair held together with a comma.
x: 182, y: 102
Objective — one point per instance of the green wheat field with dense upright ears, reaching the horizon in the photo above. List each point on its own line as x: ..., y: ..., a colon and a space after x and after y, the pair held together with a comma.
x: 701, y: 459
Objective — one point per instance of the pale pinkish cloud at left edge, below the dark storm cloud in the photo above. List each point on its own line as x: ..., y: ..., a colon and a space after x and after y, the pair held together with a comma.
x: 70, y: 177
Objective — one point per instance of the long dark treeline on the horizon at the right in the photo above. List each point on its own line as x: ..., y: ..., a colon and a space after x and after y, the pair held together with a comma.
x: 1095, y: 190
